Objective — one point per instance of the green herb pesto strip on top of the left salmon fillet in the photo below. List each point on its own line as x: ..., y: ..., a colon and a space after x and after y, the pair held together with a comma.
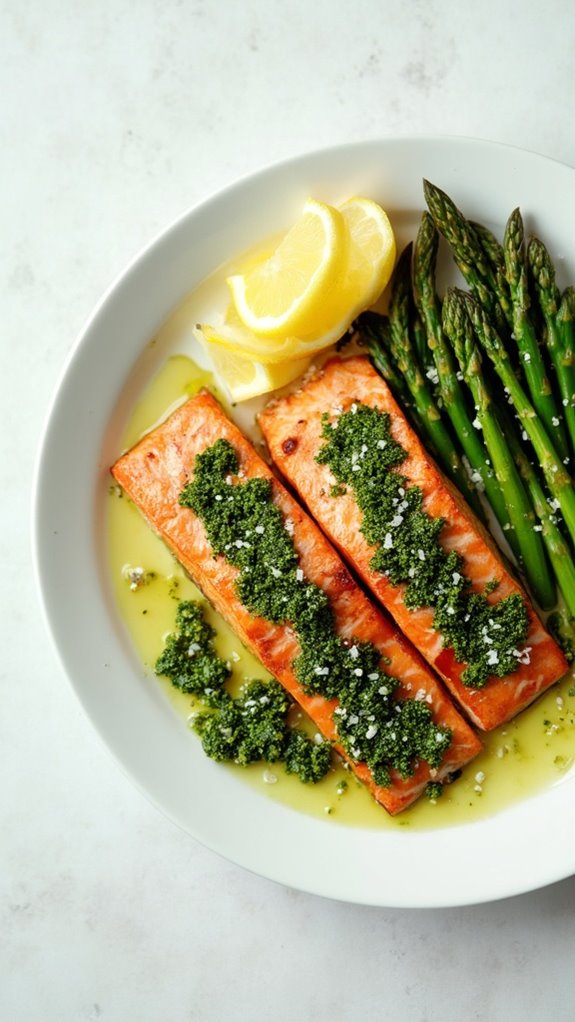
x: 245, y: 526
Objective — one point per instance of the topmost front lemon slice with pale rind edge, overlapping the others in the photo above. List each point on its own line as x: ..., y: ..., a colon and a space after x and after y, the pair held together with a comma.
x: 284, y: 295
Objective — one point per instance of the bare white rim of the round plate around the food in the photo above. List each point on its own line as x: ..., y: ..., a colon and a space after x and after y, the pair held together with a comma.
x: 529, y: 846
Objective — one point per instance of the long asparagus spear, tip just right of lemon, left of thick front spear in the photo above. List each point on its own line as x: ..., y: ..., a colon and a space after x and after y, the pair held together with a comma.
x: 425, y: 258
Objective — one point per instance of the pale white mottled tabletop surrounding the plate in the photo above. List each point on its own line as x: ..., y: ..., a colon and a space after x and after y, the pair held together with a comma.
x: 116, y: 118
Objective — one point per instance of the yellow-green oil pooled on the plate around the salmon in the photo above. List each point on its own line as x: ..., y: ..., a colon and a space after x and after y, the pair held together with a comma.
x: 533, y: 753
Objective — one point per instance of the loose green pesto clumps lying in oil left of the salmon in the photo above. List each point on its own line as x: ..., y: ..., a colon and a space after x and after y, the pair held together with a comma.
x: 243, y: 730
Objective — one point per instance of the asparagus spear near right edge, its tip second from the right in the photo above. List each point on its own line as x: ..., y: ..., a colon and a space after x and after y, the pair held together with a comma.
x: 549, y: 297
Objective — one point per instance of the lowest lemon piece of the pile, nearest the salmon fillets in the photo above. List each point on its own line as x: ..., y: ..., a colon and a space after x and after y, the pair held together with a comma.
x: 246, y: 379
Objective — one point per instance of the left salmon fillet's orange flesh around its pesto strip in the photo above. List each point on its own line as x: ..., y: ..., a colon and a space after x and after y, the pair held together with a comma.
x: 154, y: 475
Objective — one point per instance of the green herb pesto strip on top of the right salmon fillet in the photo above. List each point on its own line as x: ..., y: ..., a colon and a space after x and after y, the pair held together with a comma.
x: 363, y: 455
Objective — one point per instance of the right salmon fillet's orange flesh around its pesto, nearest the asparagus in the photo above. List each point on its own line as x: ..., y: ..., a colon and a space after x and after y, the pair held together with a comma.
x: 293, y: 428
